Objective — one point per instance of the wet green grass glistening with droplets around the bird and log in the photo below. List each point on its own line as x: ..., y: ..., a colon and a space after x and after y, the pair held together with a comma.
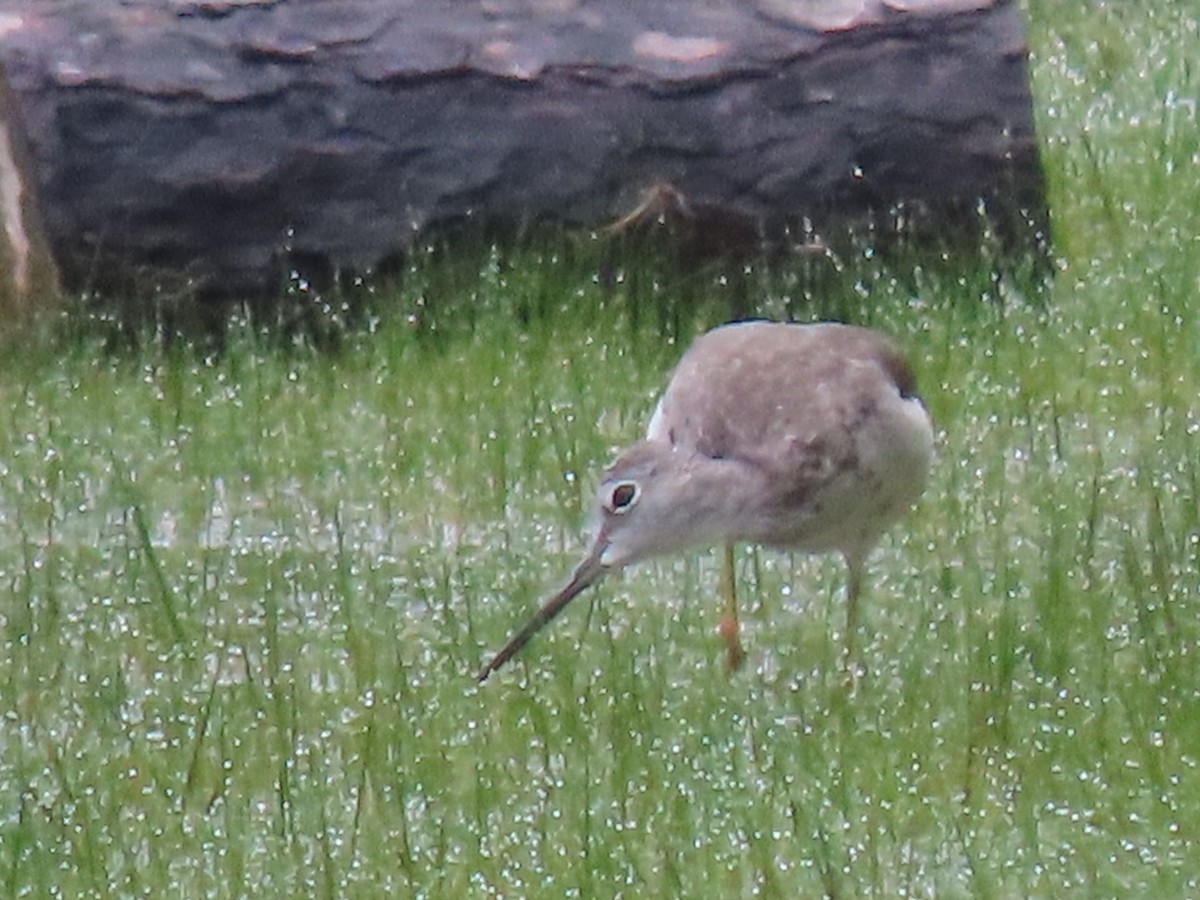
x: 245, y: 589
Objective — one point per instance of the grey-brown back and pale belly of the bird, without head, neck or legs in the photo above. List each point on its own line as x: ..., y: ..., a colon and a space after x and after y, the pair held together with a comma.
x: 827, y: 415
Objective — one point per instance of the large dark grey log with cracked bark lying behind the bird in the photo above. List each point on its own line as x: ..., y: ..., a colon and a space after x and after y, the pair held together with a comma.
x: 218, y: 137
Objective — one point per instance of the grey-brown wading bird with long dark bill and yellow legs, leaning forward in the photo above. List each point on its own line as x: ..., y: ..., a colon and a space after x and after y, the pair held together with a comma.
x: 802, y: 437
